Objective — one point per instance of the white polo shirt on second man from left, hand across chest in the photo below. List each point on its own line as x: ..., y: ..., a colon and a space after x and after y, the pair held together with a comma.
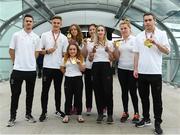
x: 54, y: 59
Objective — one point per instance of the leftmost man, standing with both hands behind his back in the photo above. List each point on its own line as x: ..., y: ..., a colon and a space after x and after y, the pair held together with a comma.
x: 23, y: 50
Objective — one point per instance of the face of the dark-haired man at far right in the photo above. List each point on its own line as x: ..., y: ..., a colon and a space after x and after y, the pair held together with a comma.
x: 149, y: 23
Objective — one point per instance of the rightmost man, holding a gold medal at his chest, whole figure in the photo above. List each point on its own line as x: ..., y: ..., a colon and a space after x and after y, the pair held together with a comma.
x: 150, y: 45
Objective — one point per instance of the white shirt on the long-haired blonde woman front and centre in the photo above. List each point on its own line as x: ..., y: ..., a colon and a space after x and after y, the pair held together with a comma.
x: 101, y: 55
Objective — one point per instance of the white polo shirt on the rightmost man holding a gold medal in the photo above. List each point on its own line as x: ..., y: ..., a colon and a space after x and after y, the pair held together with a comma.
x: 150, y: 59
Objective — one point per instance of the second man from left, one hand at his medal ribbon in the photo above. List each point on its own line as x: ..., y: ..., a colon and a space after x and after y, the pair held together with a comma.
x: 54, y: 45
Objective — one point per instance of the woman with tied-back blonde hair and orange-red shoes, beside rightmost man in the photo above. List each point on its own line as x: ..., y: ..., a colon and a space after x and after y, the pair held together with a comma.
x: 125, y: 56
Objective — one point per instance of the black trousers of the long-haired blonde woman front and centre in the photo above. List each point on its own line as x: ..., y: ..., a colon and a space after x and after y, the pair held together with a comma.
x: 103, y: 88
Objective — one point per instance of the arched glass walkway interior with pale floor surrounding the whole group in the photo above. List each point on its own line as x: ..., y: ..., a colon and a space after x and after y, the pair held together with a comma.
x: 85, y: 12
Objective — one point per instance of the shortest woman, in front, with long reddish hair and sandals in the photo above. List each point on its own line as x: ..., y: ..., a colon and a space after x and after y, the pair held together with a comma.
x: 72, y: 66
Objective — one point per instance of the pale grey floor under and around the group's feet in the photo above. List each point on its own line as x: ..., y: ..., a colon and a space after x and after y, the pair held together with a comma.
x: 54, y: 125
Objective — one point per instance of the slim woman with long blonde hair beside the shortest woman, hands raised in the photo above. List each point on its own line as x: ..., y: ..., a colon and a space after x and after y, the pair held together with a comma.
x: 101, y: 55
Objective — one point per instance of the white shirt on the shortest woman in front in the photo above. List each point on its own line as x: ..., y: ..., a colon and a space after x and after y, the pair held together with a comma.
x: 71, y: 70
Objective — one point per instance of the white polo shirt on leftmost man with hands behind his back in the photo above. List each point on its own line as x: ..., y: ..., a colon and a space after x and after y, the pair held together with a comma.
x: 25, y: 44
